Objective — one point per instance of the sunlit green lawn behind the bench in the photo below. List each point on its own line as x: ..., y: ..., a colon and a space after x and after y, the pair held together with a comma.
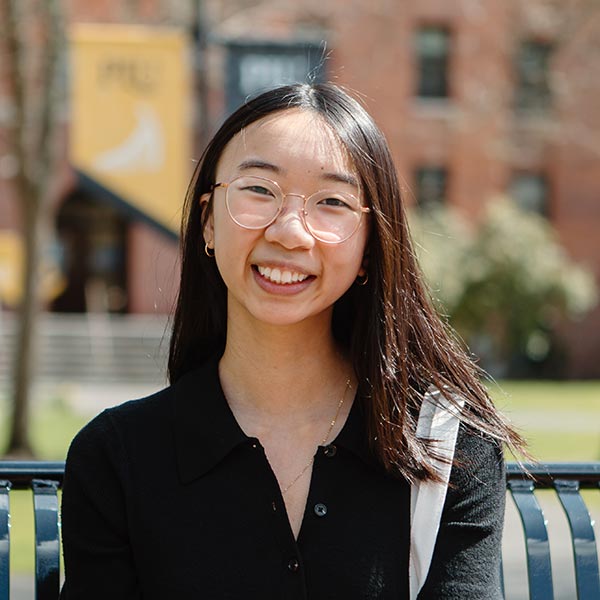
x: 560, y: 420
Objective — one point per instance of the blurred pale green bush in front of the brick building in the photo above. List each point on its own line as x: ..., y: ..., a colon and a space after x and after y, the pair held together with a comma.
x: 505, y: 284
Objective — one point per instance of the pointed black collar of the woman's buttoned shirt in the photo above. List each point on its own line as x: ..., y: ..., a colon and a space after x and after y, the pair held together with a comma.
x: 206, y: 430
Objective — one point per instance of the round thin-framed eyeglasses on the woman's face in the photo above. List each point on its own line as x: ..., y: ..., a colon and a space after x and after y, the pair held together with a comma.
x: 255, y: 202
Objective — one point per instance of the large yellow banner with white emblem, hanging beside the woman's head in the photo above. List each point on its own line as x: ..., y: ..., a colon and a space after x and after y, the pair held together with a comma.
x: 131, y: 124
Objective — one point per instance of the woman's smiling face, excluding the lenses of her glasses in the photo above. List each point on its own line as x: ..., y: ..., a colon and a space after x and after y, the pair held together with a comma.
x: 281, y: 274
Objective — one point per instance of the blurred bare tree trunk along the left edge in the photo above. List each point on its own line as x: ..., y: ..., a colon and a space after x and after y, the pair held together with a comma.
x: 35, y: 94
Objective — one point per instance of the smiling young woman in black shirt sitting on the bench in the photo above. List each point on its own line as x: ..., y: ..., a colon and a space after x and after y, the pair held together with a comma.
x: 280, y: 461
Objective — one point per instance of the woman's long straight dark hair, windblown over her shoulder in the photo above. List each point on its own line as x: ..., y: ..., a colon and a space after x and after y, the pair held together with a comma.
x: 398, y: 343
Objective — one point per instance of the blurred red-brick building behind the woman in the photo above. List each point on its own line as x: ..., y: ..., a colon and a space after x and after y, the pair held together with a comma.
x: 476, y: 97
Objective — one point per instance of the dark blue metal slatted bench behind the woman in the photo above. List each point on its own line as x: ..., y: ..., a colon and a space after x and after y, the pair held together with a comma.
x: 567, y: 480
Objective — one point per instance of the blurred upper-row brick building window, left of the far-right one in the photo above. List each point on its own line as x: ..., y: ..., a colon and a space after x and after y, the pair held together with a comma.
x: 433, y: 45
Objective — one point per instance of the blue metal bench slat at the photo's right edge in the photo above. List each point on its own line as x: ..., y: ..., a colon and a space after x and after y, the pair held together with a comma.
x: 582, y: 534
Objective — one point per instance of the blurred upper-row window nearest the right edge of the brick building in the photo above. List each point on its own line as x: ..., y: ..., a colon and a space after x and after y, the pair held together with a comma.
x: 533, y: 76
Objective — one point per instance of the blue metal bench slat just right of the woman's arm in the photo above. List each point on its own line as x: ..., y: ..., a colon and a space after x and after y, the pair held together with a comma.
x: 539, y: 567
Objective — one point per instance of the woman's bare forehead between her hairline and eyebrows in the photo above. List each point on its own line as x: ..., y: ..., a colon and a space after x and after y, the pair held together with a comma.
x: 293, y: 139
